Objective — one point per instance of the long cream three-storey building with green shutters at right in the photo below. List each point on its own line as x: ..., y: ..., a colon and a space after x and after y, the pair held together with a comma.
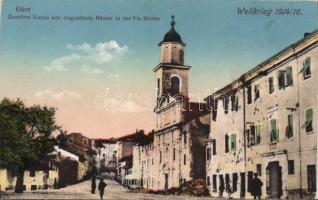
x: 265, y: 123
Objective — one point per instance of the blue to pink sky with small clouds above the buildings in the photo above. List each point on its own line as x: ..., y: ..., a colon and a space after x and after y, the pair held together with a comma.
x: 99, y: 74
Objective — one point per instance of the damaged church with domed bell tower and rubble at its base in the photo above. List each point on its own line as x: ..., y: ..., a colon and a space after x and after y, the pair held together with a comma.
x: 181, y: 126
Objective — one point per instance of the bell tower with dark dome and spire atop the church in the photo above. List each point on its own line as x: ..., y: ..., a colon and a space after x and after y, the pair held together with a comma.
x: 171, y: 73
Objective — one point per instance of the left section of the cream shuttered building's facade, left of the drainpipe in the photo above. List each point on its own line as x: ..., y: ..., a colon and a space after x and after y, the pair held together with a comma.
x: 225, y: 149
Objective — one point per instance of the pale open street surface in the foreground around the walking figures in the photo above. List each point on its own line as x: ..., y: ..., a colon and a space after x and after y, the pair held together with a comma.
x: 82, y: 191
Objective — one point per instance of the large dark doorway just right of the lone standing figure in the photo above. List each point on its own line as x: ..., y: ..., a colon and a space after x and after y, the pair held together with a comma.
x: 274, y: 180
